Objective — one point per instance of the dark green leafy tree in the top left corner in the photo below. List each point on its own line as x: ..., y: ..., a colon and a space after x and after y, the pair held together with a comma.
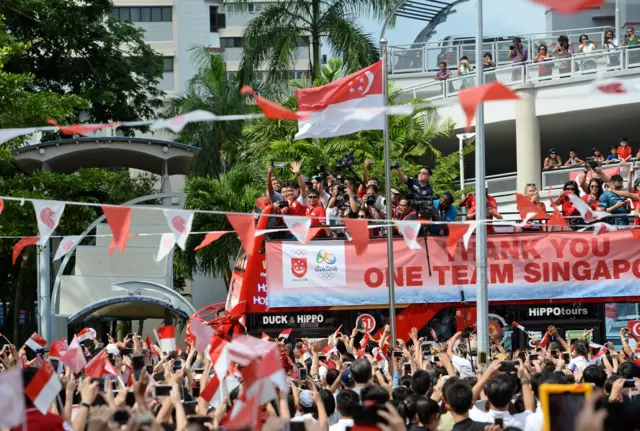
x: 73, y: 48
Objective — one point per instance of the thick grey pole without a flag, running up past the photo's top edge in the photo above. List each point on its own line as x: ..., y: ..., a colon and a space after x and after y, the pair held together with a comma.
x: 482, y: 293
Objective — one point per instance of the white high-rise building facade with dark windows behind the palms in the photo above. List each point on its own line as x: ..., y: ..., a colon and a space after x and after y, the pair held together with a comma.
x: 174, y: 27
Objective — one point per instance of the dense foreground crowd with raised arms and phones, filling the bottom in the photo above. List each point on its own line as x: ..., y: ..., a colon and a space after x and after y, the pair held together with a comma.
x: 343, y: 382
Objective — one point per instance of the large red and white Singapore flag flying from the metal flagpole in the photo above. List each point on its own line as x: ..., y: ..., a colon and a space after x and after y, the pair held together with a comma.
x: 328, y: 105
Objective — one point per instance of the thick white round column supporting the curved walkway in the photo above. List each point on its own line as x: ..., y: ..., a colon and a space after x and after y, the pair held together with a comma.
x: 529, y: 162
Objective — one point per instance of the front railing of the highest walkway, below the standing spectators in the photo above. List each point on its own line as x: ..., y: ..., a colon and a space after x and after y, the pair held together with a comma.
x: 579, y: 64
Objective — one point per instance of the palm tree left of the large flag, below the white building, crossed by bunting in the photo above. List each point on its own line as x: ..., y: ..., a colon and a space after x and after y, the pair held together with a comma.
x: 211, y: 90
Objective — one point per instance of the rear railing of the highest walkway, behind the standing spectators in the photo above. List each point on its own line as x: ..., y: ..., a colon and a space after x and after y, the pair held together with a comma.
x: 425, y: 57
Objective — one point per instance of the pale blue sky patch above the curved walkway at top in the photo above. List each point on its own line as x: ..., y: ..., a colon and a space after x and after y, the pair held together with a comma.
x: 501, y: 18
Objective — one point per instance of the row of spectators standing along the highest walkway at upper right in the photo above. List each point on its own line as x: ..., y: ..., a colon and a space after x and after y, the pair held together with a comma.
x: 519, y: 55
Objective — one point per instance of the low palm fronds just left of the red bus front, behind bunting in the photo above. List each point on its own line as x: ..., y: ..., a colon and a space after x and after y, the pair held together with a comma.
x: 235, y: 190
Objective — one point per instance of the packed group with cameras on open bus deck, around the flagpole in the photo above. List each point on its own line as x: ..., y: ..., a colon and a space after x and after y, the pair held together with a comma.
x: 328, y: 199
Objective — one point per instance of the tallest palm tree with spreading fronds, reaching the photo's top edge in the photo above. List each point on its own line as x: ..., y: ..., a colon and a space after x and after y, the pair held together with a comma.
x: 272, y: 38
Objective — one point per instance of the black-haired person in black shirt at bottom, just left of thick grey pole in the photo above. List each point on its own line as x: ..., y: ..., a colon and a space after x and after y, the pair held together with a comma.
x: 458, y: 398
